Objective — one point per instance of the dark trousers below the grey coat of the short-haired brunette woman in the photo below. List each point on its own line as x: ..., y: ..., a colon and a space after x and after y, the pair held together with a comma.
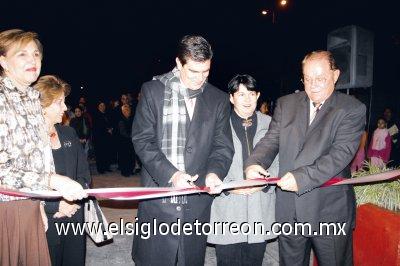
x: 240, y: 254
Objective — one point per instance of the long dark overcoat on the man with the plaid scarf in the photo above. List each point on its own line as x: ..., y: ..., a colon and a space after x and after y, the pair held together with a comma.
x: 209, y: 149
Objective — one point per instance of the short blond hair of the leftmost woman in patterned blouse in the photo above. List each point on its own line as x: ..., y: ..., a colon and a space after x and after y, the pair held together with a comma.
x: 17, y: 38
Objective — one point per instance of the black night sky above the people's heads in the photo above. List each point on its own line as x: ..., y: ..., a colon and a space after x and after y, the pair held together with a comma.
x: 111, y: 47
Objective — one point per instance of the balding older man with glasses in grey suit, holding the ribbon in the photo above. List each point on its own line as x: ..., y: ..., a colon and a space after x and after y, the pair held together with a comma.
x: 317, y: 133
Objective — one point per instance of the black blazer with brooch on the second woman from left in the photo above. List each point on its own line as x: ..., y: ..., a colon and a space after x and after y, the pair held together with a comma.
x: 76, y: 163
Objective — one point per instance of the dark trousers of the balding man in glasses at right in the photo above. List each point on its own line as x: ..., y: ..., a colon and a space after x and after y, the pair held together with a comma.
x: 329, y: 250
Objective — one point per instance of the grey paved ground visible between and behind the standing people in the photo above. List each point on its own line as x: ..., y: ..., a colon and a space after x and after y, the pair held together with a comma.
x: 118, y: 251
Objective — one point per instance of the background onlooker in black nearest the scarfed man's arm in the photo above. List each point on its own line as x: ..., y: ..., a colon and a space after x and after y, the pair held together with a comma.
x: 126, y: 154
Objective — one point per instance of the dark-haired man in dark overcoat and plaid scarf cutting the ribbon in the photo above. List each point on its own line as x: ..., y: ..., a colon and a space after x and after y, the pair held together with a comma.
x: 181, y: 134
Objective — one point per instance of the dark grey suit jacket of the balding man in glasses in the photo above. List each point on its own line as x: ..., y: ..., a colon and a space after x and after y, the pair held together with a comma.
x: 313, y: 154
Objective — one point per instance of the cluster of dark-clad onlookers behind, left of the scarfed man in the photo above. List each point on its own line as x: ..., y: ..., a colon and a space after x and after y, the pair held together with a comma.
x: 104, y: 130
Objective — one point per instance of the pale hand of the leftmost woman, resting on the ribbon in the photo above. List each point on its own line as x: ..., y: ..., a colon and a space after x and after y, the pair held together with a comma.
x: 69, y: 189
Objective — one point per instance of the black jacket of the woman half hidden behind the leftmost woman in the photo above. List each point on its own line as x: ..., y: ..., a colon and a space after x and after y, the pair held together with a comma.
x: 77, y: 168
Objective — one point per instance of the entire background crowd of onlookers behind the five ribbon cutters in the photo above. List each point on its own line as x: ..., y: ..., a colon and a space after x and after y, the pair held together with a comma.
x: 104, y: 131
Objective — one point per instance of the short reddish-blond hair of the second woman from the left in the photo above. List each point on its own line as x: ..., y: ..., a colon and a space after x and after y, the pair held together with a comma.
x: 50, y: 88
